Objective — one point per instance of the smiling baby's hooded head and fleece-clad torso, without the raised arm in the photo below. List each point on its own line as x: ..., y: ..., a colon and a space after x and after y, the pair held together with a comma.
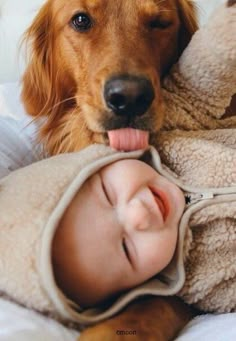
x: 83, y: 234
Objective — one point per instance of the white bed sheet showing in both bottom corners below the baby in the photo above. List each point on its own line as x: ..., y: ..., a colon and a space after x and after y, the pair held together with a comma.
x: 21, y: 324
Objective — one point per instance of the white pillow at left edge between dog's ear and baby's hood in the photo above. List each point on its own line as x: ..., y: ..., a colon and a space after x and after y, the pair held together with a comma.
x: 18, y: 146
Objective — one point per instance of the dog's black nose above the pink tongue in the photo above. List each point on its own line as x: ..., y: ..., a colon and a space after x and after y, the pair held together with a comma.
x: 129, y: 95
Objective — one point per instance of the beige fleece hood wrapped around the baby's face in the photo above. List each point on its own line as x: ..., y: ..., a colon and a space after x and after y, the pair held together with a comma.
x: 32, y: 202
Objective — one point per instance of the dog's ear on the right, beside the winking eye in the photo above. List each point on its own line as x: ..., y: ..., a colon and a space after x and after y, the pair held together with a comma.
x: 188, y: 22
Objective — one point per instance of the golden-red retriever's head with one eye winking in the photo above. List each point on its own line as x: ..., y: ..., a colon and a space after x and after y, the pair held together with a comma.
x: 96, y: 67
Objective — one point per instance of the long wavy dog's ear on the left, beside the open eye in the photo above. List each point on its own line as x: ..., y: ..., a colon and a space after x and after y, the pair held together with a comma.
x: 44, y: 90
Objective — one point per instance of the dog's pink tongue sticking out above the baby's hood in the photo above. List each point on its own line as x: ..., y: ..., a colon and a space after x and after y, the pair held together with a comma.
x: 128, y: 139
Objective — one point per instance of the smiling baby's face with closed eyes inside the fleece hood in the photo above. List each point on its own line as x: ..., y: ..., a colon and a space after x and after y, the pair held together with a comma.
x: 124, y: 224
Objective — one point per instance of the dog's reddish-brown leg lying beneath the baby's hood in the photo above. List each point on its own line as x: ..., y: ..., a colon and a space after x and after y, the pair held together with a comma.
x: 147, y: 319
